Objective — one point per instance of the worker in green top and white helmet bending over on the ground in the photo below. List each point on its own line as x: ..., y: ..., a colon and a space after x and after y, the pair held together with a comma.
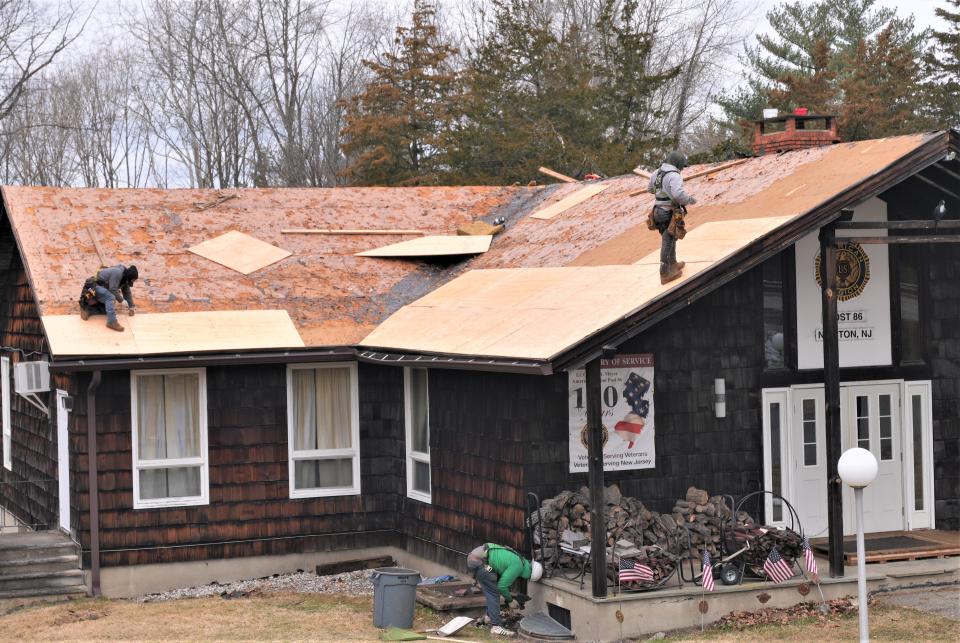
x: 495, y: 568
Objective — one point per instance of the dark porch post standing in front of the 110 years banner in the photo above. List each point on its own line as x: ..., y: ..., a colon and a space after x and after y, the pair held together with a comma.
x: 598, y: 521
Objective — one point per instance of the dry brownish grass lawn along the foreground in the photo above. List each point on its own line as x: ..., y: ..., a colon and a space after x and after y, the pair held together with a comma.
x: 331, y: 617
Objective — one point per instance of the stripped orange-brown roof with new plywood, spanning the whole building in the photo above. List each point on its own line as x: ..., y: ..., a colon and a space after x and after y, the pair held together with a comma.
x: 545, y: 287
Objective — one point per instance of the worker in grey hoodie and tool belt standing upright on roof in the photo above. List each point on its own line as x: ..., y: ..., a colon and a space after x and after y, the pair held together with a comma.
x: 669, y: 208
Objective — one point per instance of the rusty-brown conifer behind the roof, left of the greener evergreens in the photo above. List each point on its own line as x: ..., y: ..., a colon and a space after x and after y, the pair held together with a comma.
x: 394, y: 128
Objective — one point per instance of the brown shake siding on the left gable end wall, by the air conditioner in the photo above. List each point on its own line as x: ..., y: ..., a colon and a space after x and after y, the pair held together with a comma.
x: 29, y: 491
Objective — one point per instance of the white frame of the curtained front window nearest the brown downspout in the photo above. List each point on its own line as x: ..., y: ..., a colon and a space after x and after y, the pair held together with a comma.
x: 169, y: 463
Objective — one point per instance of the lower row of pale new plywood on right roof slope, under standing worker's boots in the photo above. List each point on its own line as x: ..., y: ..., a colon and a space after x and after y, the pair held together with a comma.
x: 532, y: 313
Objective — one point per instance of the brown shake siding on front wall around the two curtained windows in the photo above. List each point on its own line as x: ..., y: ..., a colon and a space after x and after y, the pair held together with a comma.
x: 250, y: 512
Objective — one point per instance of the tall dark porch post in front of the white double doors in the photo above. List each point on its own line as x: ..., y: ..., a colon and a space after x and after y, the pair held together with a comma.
x: 831, y: 392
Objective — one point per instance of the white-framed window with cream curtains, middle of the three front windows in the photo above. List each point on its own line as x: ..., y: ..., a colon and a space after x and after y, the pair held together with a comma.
x: 323, y: 430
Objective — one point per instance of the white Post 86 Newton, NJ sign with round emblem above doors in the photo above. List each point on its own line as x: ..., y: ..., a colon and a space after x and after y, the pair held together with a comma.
x: 863, y: 297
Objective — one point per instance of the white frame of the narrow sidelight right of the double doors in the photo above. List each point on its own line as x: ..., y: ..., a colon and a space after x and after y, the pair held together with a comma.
x: 925, y: 518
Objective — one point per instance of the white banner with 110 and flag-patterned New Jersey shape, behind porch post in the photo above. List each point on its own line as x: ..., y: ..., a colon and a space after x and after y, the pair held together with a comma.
x: 626, y: 393
